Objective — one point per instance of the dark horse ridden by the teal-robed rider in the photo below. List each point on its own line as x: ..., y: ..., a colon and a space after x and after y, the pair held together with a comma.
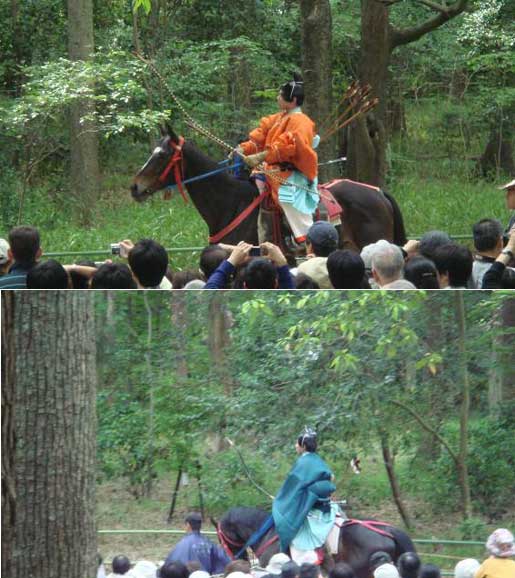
x: 356, y: 542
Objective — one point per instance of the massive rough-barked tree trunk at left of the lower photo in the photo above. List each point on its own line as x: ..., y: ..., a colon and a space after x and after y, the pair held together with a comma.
x: 55, y: 385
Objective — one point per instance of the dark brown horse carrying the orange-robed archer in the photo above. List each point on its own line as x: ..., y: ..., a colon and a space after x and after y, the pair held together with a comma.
x: 369, y: 214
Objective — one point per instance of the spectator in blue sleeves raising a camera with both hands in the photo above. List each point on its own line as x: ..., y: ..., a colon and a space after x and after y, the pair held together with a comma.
x: 268, y: 271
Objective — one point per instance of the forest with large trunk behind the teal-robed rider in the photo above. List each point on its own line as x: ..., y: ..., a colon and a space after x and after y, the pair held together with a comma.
x: 419, y: 386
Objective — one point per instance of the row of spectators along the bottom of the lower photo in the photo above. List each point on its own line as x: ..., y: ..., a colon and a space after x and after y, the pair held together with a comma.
x: 195, y: 556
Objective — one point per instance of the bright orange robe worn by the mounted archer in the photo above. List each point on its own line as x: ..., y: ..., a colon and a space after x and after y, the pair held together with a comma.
x: 288, y: 138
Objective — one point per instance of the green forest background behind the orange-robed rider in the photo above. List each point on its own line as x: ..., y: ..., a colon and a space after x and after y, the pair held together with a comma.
x: 79, y: 114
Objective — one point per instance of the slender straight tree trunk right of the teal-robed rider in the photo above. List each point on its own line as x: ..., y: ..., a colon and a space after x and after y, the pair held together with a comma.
x: 465, y: 404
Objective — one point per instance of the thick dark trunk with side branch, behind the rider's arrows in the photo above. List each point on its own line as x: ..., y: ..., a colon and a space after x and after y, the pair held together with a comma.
x: 366, y: 160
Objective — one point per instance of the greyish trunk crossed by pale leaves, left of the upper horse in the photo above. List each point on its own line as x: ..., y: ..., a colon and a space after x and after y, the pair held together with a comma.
x: 84, y: 177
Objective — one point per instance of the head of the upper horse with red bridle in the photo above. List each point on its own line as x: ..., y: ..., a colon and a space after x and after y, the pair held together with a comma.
x: 158, y: 171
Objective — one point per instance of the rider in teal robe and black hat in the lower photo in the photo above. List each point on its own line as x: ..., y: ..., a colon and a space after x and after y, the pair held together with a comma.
x: 306, y: 489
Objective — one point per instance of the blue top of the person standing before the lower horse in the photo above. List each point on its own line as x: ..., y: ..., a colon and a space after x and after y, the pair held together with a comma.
x: 195, y: 547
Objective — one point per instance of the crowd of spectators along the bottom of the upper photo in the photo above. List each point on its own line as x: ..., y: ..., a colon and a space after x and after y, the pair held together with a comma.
x: 433, y: 262
